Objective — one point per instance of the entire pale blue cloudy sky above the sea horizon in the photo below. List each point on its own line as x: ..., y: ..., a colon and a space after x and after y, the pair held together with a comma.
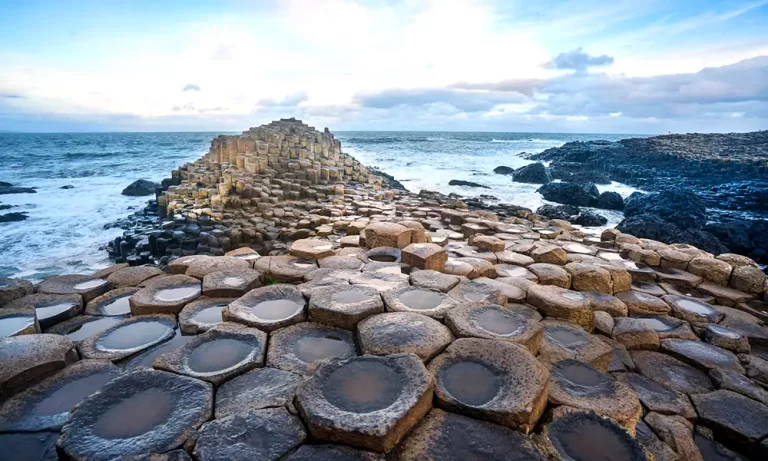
x: 580, y: 66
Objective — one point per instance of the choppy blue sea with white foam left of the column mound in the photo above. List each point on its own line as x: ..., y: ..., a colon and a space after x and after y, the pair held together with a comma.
x: 64, y: 230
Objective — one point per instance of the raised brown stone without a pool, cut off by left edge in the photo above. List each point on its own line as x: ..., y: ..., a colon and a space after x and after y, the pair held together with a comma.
x: 29, y: 358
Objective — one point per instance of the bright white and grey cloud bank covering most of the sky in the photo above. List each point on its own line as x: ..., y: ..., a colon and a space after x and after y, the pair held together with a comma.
x: 347, y: 64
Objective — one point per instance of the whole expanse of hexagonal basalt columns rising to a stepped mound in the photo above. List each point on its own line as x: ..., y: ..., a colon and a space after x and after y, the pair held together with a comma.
x: 336, y: 317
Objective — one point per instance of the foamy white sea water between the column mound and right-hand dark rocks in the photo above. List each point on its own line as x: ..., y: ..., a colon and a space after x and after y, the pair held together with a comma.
x: 429, y: 160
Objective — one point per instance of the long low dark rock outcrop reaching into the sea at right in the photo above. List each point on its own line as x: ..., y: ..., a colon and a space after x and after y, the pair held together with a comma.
x: 729, y: 171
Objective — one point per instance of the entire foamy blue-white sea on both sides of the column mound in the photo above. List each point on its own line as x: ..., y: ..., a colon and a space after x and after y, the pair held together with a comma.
x: 65, y: 230
